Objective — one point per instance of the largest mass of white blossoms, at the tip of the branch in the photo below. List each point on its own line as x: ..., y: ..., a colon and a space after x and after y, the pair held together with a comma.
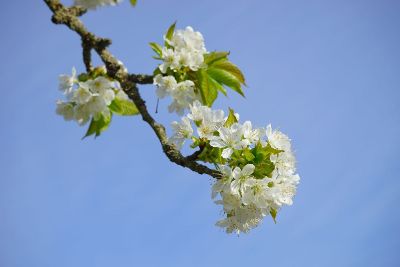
x: 246, y: 199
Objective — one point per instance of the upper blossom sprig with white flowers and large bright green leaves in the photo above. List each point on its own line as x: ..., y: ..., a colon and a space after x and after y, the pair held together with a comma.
x: 185, y: 58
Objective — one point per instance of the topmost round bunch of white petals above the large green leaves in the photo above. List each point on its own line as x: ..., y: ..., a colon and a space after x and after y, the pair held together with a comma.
x: 186, y: 49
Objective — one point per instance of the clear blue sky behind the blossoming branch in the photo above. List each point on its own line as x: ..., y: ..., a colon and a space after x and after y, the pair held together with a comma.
x: 325, y: 72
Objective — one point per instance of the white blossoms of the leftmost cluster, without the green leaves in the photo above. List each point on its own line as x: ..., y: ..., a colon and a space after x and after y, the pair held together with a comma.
x: 86, y: 99
